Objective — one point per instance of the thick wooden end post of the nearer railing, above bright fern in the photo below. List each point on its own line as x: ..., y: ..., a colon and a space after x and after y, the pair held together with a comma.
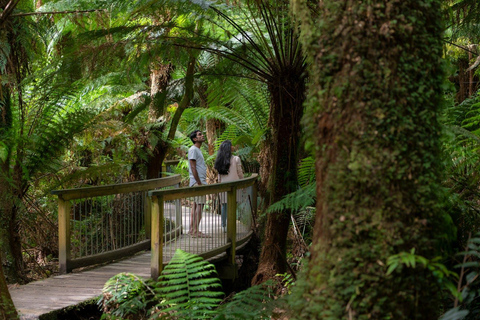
x: 157, y: 237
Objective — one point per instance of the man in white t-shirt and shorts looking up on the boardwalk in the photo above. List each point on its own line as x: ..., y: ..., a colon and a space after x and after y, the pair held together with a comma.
x: 198, y: 176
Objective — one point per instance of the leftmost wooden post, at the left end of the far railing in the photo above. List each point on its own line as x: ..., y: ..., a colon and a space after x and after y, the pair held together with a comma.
x: 64, y: 254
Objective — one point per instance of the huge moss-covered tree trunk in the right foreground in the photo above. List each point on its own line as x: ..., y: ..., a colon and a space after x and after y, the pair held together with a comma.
x: 376, y: 87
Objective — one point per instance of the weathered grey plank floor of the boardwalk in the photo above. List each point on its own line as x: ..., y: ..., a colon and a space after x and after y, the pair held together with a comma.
x: 54, y: 294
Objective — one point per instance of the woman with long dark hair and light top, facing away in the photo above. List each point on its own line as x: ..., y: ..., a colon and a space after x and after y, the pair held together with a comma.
x: 229, y: 169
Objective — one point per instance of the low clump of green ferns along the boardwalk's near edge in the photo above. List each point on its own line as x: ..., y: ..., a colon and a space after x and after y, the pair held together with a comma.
x: 187, y: 289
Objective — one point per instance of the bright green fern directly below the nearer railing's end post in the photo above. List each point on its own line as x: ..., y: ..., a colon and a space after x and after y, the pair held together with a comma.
x: 188, y: 287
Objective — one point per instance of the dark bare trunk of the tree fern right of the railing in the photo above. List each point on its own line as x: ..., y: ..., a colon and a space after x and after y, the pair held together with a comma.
x: 279, y: 162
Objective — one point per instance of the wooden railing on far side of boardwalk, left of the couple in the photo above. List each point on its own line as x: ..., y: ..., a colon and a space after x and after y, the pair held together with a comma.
x: 100, y: 224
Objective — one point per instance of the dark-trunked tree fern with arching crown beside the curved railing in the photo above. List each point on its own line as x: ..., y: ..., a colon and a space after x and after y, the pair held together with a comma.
x: 270, y: 51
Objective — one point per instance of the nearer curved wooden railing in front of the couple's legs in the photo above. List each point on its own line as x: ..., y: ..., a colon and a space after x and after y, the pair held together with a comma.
x: 174, y: 206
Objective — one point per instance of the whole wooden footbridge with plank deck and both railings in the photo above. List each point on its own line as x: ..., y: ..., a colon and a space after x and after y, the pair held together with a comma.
x: 136, y: 228
